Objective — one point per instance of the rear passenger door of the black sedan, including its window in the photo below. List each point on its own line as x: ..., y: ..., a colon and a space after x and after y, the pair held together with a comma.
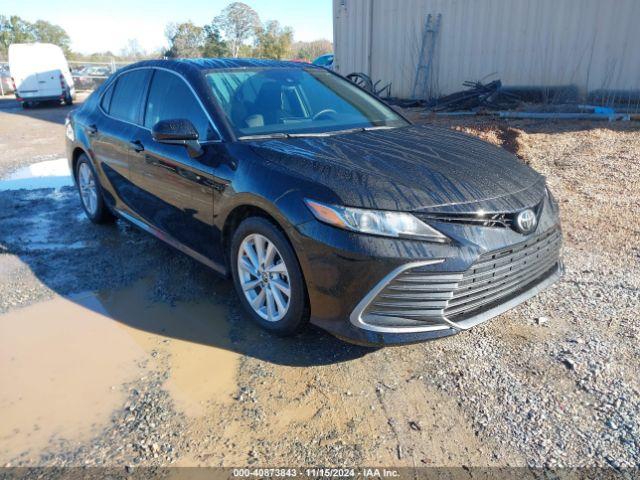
x: 113, y: 125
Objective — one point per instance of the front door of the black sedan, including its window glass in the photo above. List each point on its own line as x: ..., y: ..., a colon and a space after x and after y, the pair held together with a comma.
x: 176, y: 191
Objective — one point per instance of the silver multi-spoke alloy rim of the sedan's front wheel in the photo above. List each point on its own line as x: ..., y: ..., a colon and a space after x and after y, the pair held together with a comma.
x: 264, y: 277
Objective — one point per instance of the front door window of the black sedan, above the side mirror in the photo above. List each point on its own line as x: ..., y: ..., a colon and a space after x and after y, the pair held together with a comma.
x: 171, y: 98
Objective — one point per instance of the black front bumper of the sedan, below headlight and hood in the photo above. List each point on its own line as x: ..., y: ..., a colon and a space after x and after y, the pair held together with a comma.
x: 346, y: 273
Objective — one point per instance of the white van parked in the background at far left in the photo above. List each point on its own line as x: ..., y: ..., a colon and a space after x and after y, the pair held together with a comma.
x: 40, y: 72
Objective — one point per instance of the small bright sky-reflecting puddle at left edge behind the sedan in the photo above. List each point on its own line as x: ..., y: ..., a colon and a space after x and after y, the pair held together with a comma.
x: 47, y: 174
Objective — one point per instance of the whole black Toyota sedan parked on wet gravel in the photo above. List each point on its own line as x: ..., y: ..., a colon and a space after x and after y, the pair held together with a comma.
x: 320, y: 201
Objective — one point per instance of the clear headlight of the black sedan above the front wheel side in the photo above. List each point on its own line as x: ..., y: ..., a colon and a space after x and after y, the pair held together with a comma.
x: 375, y: 222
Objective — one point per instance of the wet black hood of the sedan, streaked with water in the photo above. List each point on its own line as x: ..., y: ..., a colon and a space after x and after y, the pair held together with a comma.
x: 416, y: 168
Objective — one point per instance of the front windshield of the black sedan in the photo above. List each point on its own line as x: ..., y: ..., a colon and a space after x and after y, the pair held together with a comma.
x: 295, y: 101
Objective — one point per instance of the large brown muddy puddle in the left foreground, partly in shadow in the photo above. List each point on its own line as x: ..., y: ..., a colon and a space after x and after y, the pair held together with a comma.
x: 63, y: 362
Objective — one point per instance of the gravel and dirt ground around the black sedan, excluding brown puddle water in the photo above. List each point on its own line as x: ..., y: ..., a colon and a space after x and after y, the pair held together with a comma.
x: 551, y: 383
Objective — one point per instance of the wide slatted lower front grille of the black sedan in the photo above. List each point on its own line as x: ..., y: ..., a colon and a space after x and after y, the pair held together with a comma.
x: 418, y: 297
